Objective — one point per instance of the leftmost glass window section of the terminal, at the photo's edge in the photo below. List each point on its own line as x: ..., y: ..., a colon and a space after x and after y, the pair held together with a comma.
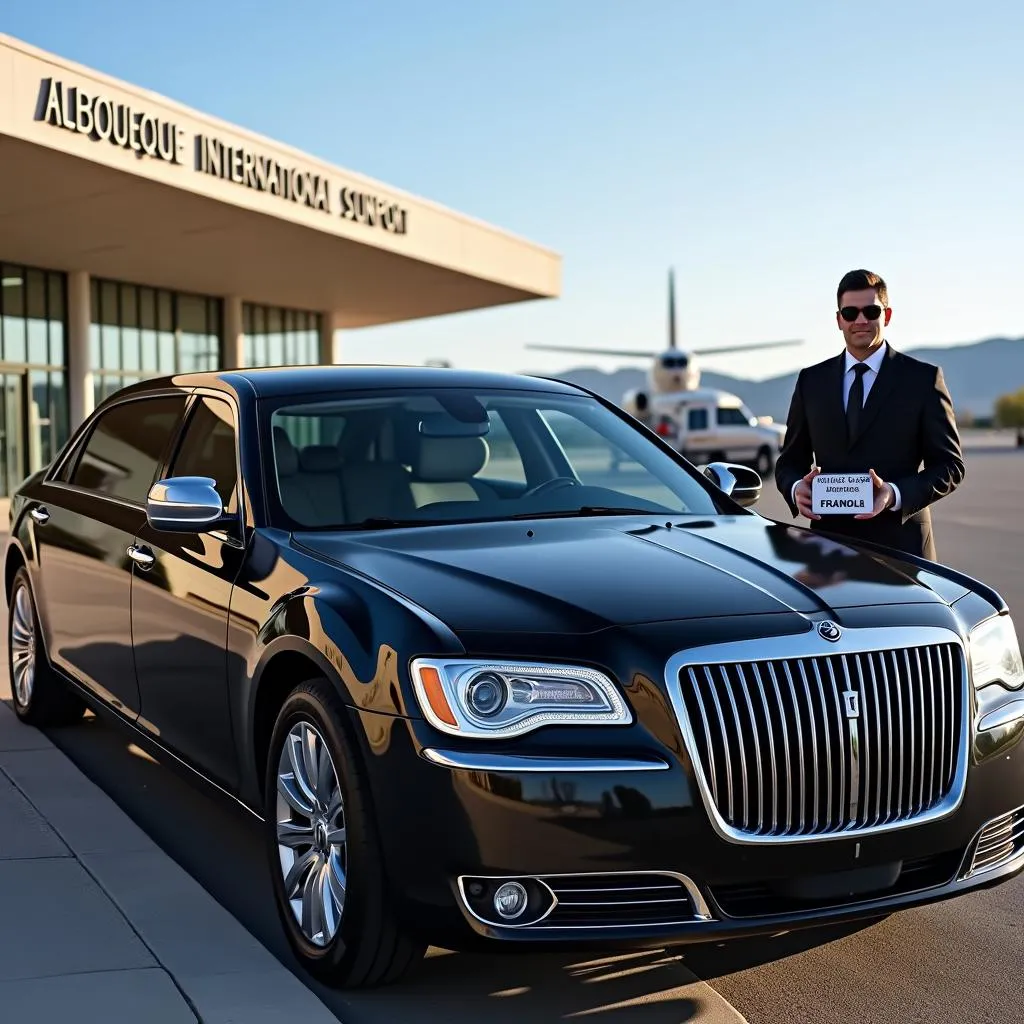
x: 33, y: 377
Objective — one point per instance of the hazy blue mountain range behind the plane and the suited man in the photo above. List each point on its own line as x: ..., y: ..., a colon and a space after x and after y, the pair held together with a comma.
x: 976, y: 375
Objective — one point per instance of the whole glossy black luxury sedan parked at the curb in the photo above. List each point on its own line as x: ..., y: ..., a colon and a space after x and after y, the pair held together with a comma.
x: 498, y: 669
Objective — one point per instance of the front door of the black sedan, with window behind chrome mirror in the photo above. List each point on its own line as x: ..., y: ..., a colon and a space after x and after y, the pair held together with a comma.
x: 181, y: 602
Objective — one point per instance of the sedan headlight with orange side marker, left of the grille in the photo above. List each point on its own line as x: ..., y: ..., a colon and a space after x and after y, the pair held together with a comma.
x: 488, y: 700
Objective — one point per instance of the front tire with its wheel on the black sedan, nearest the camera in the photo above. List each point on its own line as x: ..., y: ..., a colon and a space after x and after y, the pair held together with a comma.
x: 368, y: 946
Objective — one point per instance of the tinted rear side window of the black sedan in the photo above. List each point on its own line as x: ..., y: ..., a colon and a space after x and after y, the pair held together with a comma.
x: 121, y: 456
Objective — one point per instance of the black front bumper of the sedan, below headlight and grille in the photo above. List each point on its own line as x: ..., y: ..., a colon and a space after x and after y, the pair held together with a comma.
x: 624, y: 855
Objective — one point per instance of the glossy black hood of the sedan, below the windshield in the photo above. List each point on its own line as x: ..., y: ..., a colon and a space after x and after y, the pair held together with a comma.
x: 579, y: 576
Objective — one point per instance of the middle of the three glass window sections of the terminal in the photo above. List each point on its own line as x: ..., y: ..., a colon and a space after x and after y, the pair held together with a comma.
x: 141, y: 332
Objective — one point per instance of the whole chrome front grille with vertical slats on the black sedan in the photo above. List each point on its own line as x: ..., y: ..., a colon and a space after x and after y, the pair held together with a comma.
x: 851, y: 740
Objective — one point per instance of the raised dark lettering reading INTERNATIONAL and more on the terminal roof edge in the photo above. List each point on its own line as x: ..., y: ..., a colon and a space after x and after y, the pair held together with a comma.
x: 105, y: 120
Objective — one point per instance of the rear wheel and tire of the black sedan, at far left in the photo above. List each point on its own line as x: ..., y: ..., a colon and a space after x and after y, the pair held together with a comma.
x: 40, y: 697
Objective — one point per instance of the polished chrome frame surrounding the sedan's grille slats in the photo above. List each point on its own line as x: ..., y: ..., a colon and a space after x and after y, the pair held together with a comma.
x: 810, y: 645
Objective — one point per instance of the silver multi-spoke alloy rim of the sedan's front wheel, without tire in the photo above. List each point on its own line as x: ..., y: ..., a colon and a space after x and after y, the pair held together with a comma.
x: 312, y: 837
